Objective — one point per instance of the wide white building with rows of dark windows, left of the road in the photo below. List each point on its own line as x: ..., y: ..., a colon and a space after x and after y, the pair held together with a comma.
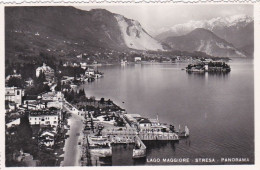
x: 44, y: 118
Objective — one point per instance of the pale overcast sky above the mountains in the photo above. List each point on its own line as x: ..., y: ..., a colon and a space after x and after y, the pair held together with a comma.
x: 155, y: 17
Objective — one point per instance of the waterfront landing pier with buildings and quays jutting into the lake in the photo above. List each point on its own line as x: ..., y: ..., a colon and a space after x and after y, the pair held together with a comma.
x: 99, y: 136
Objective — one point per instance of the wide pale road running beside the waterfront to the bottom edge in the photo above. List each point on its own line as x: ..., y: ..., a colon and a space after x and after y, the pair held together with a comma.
x: 72, y: 149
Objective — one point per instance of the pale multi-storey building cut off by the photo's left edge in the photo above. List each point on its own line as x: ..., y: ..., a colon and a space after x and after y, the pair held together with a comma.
x: 14, y: 94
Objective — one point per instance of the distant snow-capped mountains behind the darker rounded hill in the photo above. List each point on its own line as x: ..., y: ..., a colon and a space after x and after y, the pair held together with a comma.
x: 237, y: 30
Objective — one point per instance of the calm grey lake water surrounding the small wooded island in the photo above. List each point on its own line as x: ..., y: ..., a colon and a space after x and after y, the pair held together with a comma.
x: 217, y: 108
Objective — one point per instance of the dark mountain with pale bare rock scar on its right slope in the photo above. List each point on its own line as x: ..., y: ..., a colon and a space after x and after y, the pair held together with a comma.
x: 69, y: 30
